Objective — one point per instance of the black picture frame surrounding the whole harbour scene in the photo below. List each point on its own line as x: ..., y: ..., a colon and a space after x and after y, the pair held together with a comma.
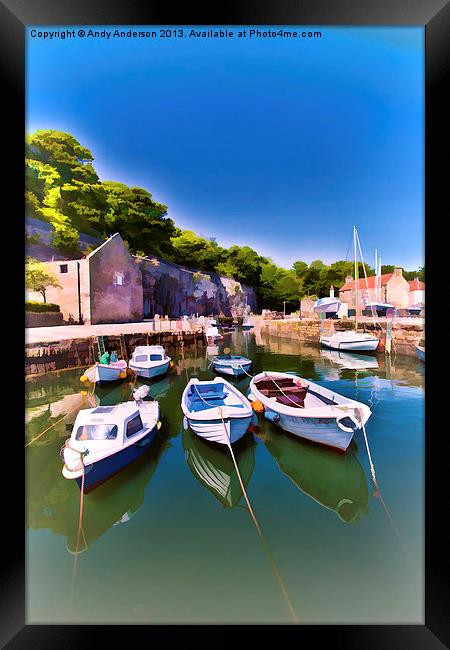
x: 434, y: 15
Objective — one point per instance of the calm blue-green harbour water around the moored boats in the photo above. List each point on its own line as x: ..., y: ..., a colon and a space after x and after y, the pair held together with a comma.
x: 170, y: 539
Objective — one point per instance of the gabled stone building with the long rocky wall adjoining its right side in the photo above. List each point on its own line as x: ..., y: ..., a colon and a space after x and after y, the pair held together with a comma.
x: 109, y: 285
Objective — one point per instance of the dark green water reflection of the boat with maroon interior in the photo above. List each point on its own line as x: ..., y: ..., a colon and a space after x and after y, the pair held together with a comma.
x: 335, y: 481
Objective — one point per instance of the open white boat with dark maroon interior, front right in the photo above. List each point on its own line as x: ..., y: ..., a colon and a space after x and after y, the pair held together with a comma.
x: 308, y: 410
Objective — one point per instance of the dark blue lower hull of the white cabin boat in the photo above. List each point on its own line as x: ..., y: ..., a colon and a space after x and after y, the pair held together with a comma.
x: 102, y: 470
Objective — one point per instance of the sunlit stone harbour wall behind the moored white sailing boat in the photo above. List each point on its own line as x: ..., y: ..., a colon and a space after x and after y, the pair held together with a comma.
x: 405, y: 336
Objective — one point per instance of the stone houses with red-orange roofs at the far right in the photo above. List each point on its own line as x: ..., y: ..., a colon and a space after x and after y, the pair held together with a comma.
x: 395, y: 290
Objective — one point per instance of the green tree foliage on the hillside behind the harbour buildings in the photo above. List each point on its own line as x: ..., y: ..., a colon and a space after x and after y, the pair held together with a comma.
x: 63, y: 188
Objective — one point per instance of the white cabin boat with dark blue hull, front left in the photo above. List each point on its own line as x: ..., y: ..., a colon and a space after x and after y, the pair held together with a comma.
x: 106, y: 439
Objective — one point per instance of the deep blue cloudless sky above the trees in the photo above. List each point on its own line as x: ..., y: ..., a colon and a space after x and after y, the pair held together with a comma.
x: 278, y: 144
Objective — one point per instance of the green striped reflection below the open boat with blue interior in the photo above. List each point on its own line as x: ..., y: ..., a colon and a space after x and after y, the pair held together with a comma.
x: 212, y: 466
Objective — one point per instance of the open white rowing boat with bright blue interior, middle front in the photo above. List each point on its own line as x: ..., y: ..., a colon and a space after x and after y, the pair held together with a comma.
x: 216, y: 410
